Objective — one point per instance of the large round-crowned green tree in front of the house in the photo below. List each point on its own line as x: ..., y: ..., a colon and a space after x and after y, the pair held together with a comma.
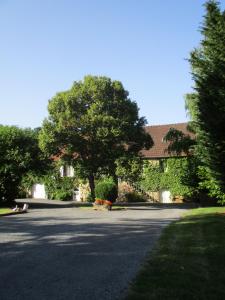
x: 92, y: 125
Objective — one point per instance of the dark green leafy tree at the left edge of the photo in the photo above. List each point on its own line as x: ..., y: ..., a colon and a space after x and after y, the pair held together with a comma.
x: 19, y: 154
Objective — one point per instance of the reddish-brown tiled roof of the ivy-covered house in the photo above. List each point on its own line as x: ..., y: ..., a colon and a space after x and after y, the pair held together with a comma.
x: 157, y: 132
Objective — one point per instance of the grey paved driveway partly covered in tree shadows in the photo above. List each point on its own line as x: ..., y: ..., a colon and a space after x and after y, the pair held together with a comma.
x: 76, y: 253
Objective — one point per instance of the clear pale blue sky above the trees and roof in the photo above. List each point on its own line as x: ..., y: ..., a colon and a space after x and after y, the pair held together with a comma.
x: 45, y: 45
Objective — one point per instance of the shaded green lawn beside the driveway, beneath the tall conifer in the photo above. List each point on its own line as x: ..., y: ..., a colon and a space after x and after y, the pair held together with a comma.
x: 188, y: 262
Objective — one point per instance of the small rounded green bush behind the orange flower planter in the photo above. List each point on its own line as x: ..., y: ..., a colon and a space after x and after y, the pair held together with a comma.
x: 107, y: 190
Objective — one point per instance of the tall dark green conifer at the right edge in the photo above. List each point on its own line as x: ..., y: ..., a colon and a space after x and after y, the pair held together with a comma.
x: 206, y: 104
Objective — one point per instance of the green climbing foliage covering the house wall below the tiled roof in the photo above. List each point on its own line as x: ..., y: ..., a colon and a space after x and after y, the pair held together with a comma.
x: 176, y: 174
